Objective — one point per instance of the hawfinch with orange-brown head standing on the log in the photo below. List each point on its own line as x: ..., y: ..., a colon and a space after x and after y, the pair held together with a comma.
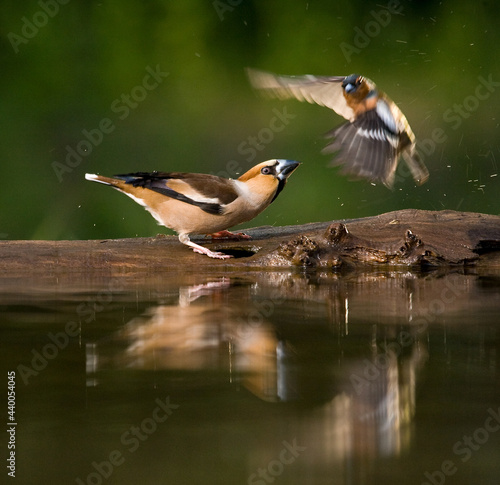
x: 204, y: 204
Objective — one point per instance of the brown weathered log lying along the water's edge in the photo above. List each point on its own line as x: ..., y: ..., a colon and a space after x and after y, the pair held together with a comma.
x: 406, y: 237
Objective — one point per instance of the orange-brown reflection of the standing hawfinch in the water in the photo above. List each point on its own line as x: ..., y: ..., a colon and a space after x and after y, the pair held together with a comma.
x: 204, y: 332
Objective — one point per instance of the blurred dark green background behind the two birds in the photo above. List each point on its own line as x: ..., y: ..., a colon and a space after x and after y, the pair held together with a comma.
x: 62, y: 78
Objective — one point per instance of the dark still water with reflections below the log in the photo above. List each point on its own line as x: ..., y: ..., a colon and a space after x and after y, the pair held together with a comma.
x: 275, y: 377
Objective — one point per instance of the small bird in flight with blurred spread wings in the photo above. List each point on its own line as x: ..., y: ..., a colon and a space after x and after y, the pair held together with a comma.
x: 377, y: 133
